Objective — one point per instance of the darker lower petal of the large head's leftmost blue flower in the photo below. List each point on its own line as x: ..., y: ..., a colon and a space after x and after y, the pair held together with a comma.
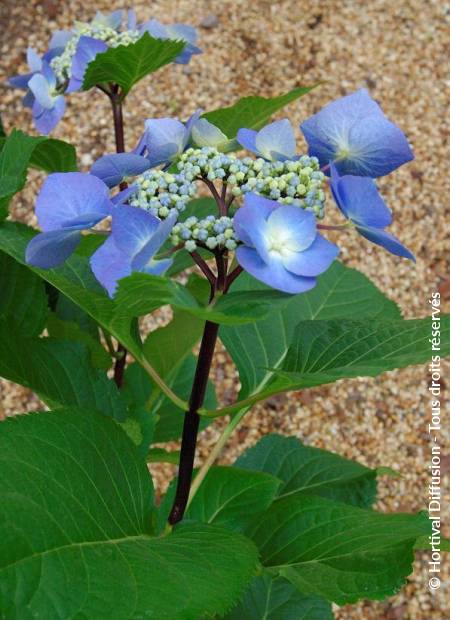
x: 50, y: 249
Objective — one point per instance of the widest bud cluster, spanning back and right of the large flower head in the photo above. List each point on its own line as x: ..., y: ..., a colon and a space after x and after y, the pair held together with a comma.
x: 296, y: 182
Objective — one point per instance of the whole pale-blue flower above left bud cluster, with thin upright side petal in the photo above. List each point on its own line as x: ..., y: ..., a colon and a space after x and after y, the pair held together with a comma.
x: 165, y: 139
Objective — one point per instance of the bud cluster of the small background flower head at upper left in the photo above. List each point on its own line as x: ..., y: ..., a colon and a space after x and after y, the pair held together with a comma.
x: 62, y: 64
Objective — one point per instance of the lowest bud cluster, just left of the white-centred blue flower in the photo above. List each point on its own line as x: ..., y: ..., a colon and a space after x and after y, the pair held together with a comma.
x: 210, y: 232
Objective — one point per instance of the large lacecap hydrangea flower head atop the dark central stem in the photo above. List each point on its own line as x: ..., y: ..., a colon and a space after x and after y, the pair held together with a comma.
x: 269, y: 207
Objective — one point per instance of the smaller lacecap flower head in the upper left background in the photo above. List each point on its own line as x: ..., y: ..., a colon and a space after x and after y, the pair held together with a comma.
x: 62, y: 68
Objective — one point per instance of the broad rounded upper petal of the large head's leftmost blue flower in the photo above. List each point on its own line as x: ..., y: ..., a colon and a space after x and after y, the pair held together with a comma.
x: 67, y: 195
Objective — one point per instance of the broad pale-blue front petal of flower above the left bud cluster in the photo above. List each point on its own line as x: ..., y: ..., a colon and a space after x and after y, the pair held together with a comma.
x: 165, y: 138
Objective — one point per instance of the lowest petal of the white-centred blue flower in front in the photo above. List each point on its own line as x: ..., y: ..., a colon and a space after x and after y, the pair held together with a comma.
x: 274, y: 275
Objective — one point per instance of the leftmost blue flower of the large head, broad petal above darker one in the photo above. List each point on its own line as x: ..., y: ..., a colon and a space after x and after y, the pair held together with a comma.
x: 68, y: 203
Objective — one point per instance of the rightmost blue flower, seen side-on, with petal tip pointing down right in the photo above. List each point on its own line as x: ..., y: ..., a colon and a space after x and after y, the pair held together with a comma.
x: 359, y: 201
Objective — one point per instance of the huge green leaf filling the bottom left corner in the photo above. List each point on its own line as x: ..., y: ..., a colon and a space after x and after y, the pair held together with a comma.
x: 76, y: 516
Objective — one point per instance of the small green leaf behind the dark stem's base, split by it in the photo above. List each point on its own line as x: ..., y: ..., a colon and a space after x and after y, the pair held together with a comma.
x: 226, y: 495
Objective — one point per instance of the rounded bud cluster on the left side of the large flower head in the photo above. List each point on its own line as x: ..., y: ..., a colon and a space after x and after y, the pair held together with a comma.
x: 161, y: 193
